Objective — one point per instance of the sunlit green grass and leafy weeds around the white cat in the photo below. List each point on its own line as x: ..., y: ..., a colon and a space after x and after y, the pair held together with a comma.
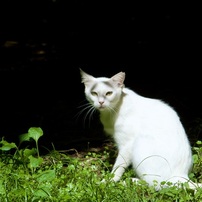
x: 71, y: 176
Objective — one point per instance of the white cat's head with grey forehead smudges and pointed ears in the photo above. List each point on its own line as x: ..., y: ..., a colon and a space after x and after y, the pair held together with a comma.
x: 102, y: 92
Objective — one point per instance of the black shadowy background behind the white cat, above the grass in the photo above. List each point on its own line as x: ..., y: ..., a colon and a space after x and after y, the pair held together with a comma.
x: 44, y: 43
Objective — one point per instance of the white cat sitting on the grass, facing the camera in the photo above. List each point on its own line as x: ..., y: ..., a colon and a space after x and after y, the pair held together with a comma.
x: 148, y: 132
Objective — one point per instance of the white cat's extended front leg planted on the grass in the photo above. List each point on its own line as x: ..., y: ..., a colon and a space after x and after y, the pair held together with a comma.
x: 123, y: 160
